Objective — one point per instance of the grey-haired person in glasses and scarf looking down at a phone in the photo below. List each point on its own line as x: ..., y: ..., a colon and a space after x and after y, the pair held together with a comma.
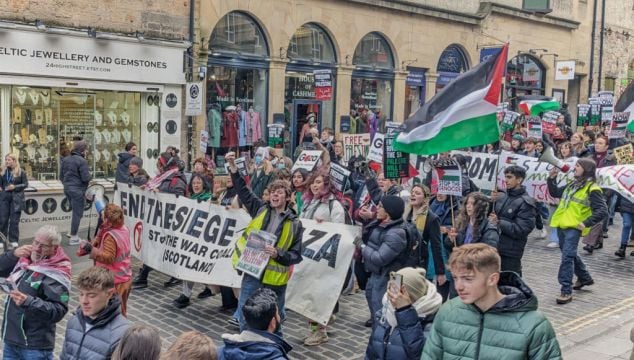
x: 38, y: 285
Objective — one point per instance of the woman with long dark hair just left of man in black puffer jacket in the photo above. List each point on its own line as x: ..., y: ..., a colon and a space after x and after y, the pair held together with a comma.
x: 472, y: 224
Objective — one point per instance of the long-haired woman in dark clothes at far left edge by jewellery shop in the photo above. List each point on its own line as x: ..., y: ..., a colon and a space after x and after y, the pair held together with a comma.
x: 12, y: 185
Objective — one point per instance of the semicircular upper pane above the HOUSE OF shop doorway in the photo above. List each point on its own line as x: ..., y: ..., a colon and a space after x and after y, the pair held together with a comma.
x: 311, y: 43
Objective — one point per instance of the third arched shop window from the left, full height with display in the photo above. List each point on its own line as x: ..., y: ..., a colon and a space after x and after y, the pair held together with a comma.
x: 372, y: 81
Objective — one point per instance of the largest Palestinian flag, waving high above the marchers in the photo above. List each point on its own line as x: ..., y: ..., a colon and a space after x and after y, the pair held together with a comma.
x: 462, y: 114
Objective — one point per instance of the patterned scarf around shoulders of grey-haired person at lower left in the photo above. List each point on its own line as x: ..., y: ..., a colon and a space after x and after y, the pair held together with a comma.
x: 57, y: 267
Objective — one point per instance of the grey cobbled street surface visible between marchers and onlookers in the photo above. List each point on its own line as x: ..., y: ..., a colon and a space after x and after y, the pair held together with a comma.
x: 612, y: 297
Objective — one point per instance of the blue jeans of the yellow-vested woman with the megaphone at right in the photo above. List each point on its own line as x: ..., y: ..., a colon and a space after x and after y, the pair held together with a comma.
x: 571, y: 263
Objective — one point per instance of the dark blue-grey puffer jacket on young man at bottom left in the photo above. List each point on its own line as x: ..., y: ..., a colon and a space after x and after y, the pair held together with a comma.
x: 101, y: 339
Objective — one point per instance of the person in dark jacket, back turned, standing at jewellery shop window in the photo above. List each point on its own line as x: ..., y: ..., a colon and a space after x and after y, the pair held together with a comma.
x: 75, y: 175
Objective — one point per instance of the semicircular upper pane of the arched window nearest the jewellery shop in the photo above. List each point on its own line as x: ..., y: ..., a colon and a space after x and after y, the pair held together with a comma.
x: 238, y: 33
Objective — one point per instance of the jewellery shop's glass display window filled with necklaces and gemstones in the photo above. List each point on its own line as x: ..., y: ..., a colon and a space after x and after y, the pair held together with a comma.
x: 45, y: 121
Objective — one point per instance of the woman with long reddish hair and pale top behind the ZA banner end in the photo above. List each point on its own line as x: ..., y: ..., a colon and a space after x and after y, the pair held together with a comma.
x: 321, y: 204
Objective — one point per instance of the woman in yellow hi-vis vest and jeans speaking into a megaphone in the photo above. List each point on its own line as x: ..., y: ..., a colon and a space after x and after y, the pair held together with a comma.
x: 581, y: 206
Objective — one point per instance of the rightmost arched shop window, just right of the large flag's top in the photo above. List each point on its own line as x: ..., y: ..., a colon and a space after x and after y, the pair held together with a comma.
x: 525, y: 75
